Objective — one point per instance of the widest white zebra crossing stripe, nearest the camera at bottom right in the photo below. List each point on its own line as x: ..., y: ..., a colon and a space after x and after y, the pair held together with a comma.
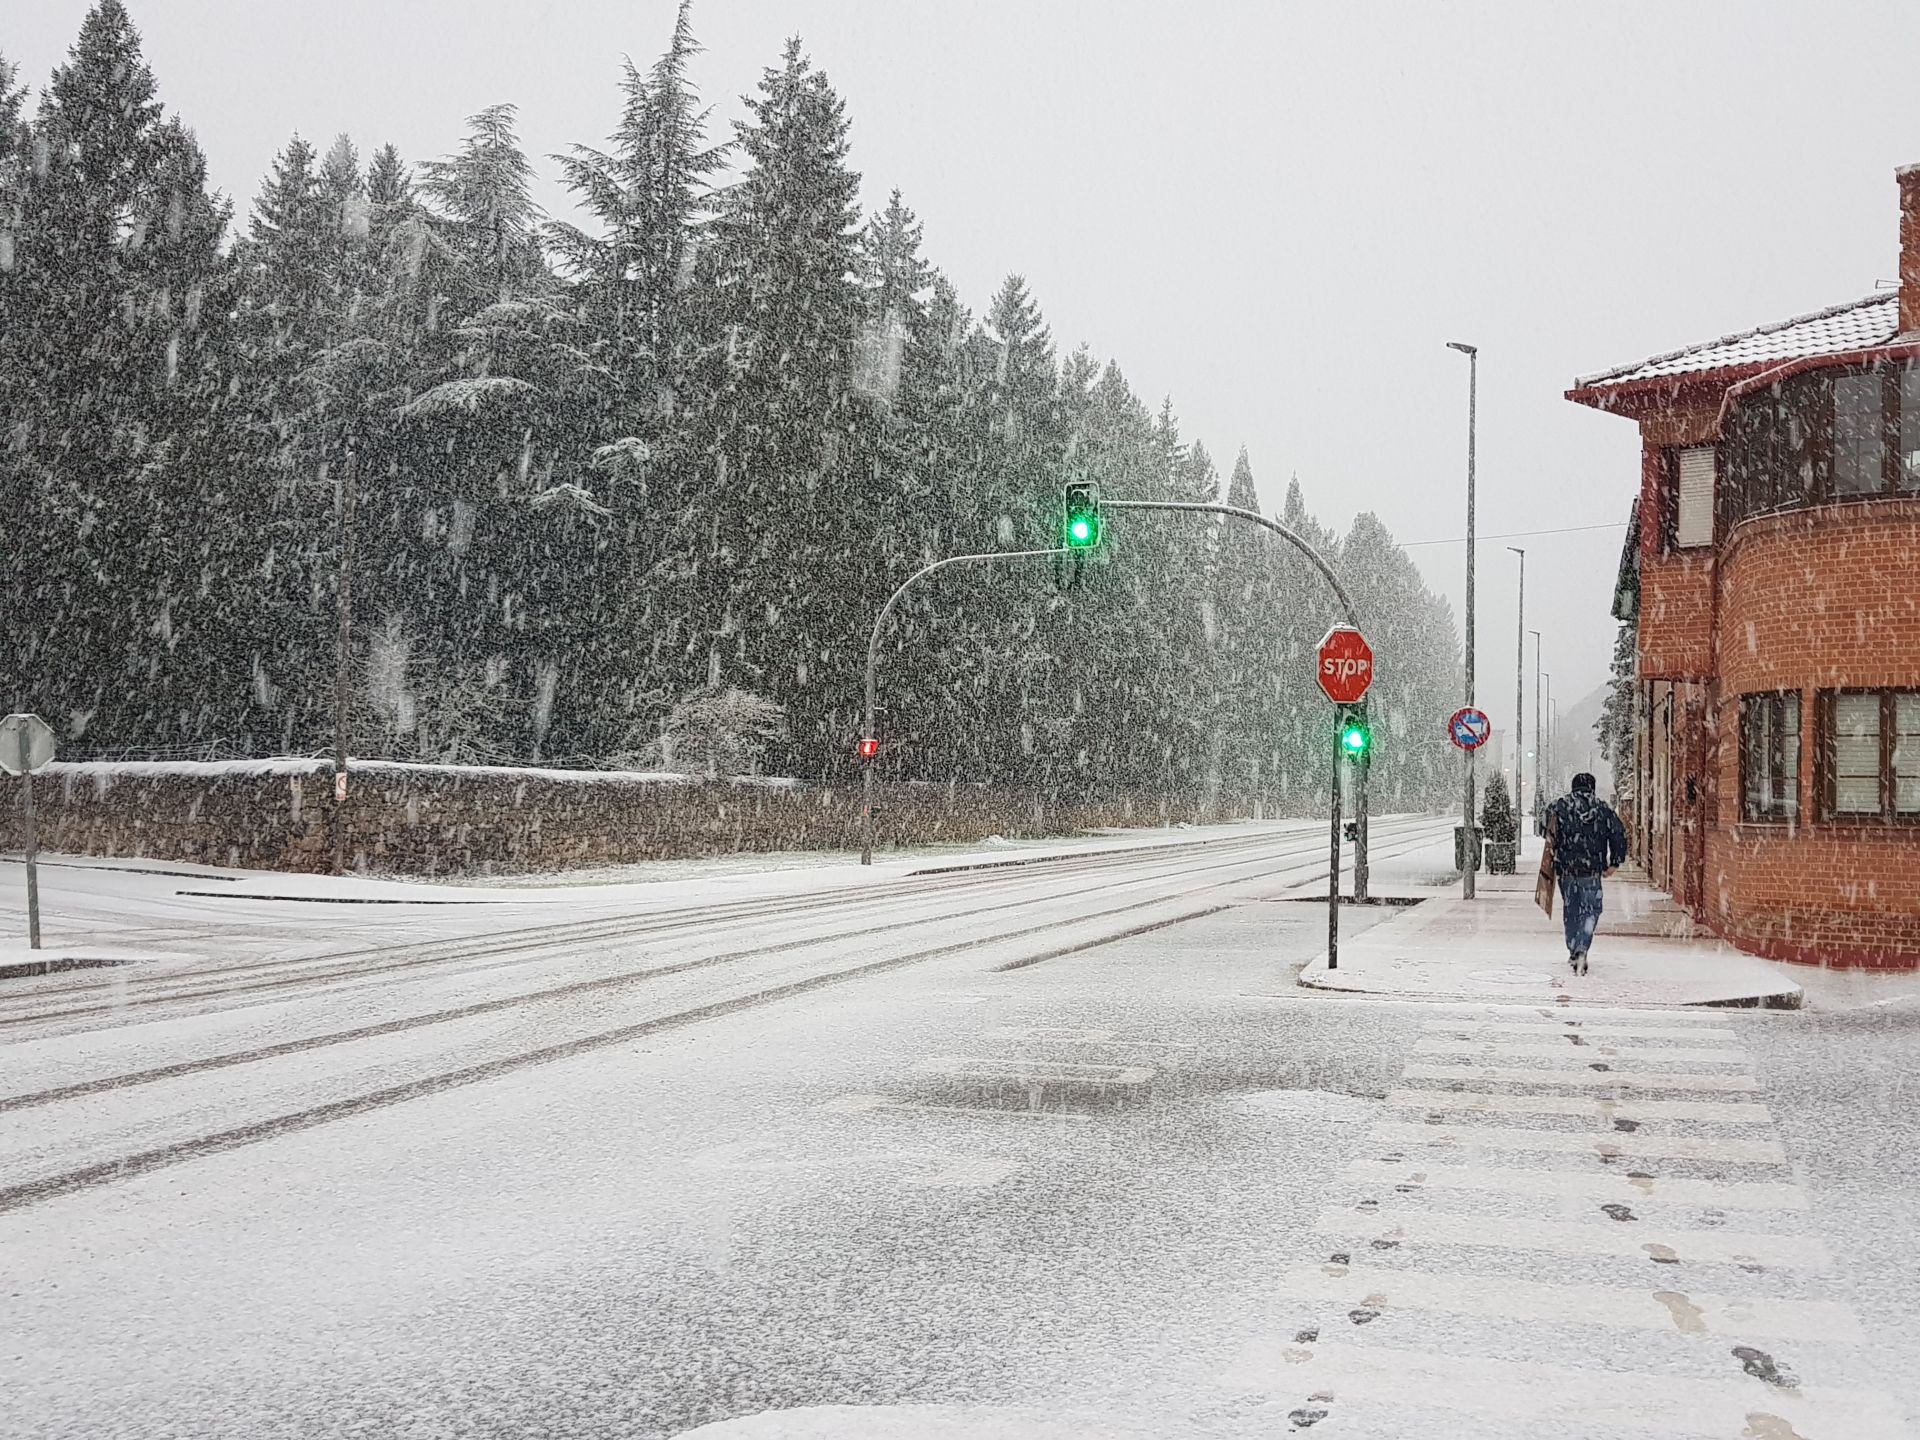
x: 1560, y: 1399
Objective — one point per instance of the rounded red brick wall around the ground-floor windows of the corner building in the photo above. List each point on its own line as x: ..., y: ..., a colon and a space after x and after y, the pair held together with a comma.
x: 1815, y: 600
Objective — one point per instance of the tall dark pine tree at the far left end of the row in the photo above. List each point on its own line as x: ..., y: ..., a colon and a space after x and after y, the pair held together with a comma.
x: 122, y: 527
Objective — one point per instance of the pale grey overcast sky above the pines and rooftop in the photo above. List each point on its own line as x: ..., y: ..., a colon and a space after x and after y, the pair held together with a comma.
x: 1278, y: 214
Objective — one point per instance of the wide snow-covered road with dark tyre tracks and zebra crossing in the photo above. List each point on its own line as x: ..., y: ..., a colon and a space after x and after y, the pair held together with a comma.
x: 938, y: 1163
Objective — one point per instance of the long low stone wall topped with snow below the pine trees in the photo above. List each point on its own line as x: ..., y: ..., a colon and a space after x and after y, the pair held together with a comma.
x: 406, y: 819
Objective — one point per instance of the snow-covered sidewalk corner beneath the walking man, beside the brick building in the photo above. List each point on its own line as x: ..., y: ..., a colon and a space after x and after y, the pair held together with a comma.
x: 1502, y: 948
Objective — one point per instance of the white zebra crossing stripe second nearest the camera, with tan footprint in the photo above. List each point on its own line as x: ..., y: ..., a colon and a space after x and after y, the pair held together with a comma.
x: 1499, y: 1297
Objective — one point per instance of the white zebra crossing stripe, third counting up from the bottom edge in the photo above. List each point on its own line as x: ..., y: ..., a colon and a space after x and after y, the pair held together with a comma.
x: 1656, y: 1245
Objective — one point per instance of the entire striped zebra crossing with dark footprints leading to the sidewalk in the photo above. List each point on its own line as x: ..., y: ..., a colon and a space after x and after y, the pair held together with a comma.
x: 1477, y: 1099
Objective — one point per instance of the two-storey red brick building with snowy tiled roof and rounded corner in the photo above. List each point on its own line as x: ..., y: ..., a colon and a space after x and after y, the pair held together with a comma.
x: 1775, y: 577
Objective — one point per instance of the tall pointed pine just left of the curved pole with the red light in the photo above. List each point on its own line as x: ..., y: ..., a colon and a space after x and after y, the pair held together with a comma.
x: 777, y: 523
